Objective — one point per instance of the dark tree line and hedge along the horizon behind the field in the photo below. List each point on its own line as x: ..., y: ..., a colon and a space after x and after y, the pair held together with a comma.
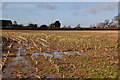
x: 107, y: 24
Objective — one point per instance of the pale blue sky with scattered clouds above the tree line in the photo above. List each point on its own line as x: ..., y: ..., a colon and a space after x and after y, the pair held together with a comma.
x: 68, y: 13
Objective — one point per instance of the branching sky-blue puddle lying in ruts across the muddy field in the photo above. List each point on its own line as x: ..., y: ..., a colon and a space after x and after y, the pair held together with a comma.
x: 19, y: 58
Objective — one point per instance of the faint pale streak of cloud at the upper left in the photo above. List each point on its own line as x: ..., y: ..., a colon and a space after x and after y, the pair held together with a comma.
x: 9, y: 5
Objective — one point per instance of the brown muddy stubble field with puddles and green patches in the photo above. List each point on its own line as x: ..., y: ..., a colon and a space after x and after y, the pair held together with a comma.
x: 59, y: 54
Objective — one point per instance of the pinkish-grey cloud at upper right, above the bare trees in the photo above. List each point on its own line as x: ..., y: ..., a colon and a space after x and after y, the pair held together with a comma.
x: 104, y: 7
